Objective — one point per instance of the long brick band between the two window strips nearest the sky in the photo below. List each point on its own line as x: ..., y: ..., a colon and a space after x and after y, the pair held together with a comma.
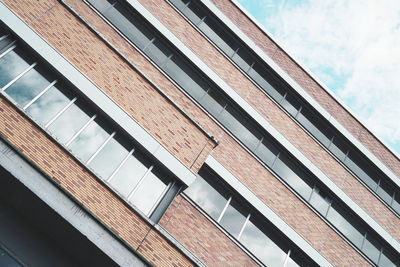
x: 278, y: 119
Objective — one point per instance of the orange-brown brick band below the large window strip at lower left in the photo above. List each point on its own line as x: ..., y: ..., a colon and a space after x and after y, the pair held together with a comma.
x: 83, y: 186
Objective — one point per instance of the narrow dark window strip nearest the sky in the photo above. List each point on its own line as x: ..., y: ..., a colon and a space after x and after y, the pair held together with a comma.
x: 319, y: 127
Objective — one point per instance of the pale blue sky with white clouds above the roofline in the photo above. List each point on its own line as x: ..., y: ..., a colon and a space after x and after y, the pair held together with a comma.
x: 352, y: 46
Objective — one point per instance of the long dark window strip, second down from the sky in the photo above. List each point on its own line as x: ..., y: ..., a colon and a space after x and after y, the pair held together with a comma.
x: 192, y: 80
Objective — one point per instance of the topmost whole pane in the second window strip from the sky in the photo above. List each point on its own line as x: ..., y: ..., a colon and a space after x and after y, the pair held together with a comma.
x: 129, y: 24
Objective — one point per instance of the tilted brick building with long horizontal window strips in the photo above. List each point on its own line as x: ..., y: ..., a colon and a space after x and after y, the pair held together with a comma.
x: 178, y: 133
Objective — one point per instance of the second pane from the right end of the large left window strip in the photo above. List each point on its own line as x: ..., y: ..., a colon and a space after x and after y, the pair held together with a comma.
x: 129, y: 174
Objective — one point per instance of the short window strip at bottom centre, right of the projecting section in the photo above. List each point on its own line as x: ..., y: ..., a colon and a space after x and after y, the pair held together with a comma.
x: 259, y: 236
